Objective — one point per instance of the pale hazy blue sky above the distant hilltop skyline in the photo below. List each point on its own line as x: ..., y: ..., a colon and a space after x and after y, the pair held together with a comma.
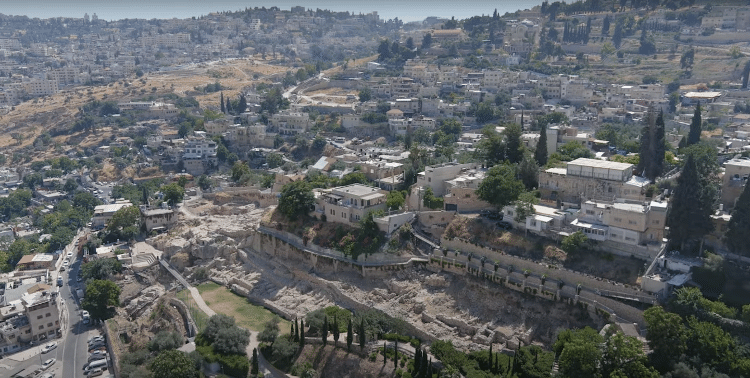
x: 161, y: 9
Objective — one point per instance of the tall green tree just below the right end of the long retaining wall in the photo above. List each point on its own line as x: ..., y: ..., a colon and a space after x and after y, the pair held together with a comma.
x: 666, y: 337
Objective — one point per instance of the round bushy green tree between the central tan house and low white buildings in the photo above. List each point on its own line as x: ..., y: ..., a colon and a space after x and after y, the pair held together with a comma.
x: 500, y: 186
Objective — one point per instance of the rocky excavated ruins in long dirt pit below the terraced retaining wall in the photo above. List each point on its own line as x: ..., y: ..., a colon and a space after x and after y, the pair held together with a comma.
x: 470, y: 312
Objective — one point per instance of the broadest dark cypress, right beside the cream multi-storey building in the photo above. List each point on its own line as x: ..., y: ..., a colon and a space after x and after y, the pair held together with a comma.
x: 690, y: 215
